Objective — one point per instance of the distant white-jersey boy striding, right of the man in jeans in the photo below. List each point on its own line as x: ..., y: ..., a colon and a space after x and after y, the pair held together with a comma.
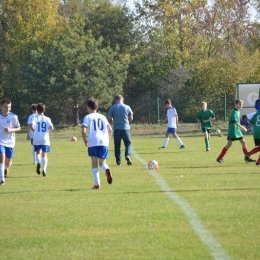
x: 172, y: 118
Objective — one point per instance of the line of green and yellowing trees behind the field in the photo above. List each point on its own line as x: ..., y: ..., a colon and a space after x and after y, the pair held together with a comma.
x: 64, y: 52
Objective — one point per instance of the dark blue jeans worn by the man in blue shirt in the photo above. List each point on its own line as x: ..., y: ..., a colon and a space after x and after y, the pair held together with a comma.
x: 125, y: 135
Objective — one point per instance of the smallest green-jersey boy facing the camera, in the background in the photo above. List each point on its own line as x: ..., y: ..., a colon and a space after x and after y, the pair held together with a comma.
x: 205, y: 118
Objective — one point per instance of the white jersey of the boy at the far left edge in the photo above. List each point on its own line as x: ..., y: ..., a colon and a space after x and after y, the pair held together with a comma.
x: 10, y: 120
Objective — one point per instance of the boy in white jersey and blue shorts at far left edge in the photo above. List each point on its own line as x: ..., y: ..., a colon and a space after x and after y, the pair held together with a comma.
x: 9, y: 124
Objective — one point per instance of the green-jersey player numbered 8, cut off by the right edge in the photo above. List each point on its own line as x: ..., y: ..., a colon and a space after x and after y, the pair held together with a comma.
x: 255, y: 121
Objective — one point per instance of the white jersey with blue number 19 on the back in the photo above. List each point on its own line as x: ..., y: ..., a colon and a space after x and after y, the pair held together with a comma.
x: 41, y: 126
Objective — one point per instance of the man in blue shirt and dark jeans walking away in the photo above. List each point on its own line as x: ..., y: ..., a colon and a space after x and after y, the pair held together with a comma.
x: 120, y: 115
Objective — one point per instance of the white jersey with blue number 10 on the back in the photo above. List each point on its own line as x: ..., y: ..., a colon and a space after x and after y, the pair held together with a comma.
x: 97, y: 129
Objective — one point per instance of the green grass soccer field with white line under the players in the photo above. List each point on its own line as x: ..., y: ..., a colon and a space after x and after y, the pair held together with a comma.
x: 190, y: 208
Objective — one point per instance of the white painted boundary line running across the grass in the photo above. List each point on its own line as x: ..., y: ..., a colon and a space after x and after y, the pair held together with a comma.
x: 214, y: 247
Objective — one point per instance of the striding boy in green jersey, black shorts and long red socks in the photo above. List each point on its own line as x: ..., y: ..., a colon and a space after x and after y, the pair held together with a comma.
x: 234, y: 132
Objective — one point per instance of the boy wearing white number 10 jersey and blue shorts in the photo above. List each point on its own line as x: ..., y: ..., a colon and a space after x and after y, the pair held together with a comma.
x: 99, y: 133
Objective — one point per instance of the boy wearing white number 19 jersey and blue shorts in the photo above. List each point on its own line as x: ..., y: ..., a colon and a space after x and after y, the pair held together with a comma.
x: 41, y: 126
